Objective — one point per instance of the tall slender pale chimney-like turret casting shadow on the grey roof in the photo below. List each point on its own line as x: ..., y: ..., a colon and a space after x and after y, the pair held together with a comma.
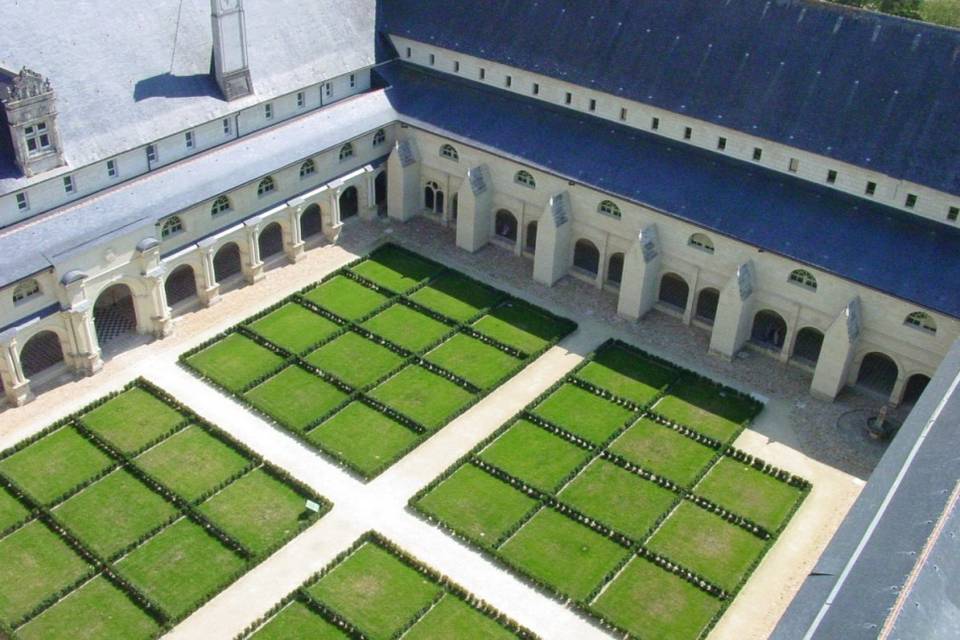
x: 230, y: 63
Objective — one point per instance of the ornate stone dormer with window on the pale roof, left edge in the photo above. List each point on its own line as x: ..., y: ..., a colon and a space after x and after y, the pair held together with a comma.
x: 28, y: 101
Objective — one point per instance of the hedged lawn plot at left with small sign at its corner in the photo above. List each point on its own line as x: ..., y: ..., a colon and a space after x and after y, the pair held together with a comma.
x: 123, y: 518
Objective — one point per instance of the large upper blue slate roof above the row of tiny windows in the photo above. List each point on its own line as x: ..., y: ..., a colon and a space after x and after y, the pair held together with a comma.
x: 872, y: 90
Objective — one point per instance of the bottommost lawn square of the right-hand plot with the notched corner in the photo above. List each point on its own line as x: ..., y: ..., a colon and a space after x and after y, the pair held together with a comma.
x: 654, y: 604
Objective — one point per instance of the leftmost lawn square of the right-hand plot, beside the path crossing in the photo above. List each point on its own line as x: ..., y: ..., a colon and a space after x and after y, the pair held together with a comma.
x: 477, y: 505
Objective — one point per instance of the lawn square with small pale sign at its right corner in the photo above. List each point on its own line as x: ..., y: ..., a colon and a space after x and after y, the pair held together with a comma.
x: 258, y: 510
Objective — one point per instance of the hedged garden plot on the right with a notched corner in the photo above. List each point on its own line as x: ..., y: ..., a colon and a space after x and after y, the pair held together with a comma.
x: 618, y: 490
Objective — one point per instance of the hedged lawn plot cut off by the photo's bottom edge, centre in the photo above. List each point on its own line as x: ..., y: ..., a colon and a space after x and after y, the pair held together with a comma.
x: 376, y: 591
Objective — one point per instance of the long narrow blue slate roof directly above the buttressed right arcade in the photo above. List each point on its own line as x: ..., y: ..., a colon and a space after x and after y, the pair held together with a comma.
x: 840, y: 234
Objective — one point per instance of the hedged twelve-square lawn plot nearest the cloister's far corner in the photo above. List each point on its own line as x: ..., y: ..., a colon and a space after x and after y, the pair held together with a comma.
x: 378, y: 356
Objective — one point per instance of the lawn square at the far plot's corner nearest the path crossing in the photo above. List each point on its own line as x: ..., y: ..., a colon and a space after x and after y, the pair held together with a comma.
x: 365, y: 437
